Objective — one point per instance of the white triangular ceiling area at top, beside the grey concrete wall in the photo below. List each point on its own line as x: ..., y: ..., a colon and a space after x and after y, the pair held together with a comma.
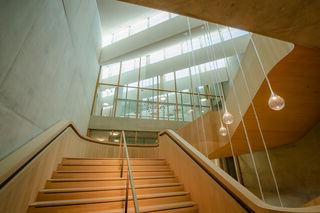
x: 115, y: 14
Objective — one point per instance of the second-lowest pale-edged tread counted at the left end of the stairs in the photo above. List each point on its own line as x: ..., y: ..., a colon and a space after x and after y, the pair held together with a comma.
x: 107, y: 188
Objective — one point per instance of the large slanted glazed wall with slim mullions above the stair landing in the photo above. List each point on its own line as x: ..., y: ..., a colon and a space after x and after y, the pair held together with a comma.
x: 136, y: 89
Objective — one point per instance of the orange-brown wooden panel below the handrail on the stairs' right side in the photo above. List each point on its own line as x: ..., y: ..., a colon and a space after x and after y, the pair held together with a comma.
x: 208, y: 195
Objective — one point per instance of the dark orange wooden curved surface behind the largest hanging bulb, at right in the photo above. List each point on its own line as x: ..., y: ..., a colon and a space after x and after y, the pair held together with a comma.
x: 296, y: 78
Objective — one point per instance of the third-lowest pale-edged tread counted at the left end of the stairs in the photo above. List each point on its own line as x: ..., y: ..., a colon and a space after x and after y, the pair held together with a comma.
x: 106, y: 179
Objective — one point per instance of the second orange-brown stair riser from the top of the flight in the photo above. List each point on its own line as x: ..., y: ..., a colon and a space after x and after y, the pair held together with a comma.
x: 108, y: 168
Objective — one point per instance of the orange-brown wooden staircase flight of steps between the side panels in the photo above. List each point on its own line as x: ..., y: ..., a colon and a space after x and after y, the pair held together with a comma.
x: 94, y: 185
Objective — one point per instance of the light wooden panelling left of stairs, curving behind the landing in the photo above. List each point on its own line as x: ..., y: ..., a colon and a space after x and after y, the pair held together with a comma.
x: 22, y: 190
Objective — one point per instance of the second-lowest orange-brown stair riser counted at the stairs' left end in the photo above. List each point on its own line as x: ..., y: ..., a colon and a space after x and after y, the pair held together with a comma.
x: 97, y: 194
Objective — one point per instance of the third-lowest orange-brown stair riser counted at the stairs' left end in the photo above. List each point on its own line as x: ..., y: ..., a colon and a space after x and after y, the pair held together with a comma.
x: 78, y: 184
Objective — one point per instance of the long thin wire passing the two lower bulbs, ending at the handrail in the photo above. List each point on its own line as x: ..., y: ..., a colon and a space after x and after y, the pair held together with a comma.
x: 213, y: 58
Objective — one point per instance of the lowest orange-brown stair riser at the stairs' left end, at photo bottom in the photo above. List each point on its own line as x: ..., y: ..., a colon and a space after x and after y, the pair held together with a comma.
x: 110, y: 205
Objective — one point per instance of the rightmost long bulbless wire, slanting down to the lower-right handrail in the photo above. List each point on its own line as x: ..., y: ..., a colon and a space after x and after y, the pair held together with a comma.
x: 256, y: 117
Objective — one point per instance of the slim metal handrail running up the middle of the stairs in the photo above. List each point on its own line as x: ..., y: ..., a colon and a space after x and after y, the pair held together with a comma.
x: 124, y: 149
